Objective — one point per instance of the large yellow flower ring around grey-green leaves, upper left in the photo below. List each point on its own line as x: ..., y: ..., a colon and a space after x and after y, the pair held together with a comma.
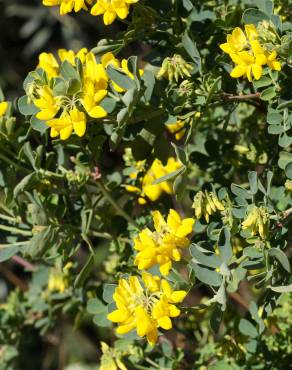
x: 68, y: 94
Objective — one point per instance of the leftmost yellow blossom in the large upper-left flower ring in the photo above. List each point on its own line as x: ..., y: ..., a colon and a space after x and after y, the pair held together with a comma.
x: 47, y: 103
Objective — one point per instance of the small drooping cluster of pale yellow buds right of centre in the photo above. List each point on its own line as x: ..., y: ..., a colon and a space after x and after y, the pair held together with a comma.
x: 205, y: 204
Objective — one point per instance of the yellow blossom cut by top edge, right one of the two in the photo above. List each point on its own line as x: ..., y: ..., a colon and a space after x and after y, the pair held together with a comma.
x: 111, y: 9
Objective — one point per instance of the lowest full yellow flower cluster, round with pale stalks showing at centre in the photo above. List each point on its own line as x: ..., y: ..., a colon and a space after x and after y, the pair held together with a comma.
x: 145, y: 306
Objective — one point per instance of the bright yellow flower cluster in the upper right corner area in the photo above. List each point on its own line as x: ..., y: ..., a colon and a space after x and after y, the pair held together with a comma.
x: 247, y: 53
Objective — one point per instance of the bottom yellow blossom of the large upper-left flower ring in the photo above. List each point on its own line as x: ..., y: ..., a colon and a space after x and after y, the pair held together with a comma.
x: 63, y: 126
